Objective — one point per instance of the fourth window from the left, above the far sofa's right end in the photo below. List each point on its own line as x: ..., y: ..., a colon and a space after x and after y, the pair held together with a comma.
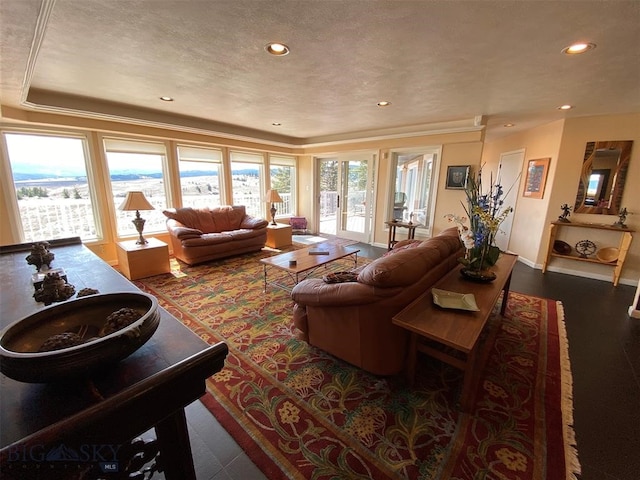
x: 247, y: 181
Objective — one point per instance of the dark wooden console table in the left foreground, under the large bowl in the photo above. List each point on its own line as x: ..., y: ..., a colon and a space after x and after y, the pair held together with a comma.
x: 148, y: 389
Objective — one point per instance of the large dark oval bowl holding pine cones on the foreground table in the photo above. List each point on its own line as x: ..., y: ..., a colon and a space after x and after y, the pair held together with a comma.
x: 20, y: 342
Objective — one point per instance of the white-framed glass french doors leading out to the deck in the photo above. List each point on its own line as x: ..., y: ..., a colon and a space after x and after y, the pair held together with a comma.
x: 345, y: 186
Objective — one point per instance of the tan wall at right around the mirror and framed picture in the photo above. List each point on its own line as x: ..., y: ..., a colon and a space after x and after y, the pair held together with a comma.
x: 564, y: 142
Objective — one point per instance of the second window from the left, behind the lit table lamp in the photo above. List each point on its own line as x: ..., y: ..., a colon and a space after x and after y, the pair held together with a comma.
x: 137, y: 166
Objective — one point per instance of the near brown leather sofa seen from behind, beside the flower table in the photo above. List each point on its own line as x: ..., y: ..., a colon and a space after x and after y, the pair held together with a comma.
x: 352, y: 320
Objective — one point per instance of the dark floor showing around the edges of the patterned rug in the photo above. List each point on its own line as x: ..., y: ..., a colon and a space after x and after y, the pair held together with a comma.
x: 604, y: 348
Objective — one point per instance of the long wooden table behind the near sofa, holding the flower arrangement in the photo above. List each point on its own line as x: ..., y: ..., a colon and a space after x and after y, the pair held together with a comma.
x: 452, y: 335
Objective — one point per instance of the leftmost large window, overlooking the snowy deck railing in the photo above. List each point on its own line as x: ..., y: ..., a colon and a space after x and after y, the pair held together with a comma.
x: 52, y: 188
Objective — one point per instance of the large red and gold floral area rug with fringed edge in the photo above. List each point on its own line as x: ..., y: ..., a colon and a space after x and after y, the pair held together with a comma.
x: 300, y: 413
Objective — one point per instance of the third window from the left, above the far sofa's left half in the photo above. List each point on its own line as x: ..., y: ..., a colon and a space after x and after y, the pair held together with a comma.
x: 200, y: 176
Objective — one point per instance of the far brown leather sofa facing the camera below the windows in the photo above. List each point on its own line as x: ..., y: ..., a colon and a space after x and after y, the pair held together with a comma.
x: 203, y: 234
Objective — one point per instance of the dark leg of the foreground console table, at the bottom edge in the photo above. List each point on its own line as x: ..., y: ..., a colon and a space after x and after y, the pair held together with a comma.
x: 175, y: 448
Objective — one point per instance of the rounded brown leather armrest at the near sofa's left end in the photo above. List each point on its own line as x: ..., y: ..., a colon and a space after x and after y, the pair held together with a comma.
x: 315, y: 292
